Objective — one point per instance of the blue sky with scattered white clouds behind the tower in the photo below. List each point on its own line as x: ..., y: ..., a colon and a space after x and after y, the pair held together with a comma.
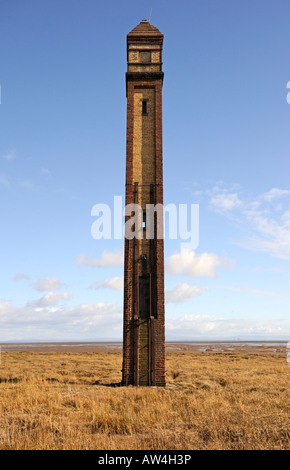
x: 226, y: 137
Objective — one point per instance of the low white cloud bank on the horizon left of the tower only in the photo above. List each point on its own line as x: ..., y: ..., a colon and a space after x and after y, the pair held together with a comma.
x: 42, y: 321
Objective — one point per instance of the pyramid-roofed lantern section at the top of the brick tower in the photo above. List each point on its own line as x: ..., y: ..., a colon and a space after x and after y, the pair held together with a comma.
x: 144, y: 51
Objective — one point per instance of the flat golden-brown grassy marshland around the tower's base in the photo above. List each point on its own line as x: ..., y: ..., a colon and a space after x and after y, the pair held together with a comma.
x: 215, y: 398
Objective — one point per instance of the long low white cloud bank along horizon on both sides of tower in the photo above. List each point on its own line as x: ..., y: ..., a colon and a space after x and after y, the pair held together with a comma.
x: 36, y: 321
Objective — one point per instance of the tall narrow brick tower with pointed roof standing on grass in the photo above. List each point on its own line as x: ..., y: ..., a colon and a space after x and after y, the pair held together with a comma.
x: 144, y: 336
